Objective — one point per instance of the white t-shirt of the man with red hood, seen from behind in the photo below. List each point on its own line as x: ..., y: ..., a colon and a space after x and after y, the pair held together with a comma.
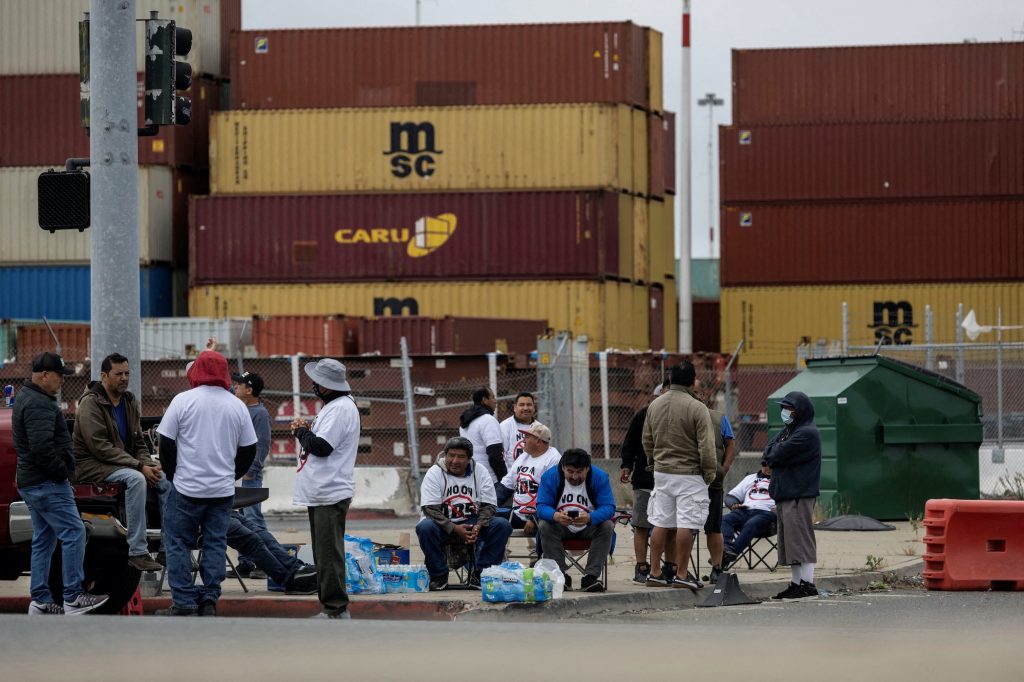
x: 209, y: 425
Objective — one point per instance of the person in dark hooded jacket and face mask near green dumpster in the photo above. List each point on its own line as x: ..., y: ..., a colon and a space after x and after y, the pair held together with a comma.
x: 795, y: 458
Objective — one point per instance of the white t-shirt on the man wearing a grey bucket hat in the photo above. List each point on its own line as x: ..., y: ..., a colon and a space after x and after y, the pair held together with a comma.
x: 327, y: 481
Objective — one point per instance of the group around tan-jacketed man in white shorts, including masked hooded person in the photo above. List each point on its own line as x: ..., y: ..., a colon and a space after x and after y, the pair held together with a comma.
x: 676, y: 454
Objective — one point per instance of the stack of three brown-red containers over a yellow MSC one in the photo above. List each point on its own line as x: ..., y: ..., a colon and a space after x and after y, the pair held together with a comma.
x: 887, y: 178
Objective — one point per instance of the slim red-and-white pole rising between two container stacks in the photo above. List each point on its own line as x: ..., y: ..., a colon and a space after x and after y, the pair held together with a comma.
x: 685, y: 288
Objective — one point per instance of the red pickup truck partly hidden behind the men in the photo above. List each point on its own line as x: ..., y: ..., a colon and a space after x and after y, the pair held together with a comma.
x: 102, y: 506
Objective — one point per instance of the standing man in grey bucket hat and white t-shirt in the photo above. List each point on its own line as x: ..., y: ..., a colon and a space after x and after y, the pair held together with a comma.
x: 325, y: 483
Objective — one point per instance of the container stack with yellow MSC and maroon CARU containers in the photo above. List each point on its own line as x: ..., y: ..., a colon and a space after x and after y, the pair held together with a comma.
x: 528, y: 167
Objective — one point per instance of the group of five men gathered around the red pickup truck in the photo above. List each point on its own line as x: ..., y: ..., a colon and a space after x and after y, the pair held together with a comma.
x: 210, y: 438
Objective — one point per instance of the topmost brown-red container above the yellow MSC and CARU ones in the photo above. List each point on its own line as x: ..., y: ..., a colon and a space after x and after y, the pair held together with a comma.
x: 439, y: 66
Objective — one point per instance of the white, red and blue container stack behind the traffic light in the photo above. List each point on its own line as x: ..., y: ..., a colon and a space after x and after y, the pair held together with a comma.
x: 49, y: 275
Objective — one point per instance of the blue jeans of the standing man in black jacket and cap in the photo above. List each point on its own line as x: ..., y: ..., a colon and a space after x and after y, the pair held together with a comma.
x: 55, y: 518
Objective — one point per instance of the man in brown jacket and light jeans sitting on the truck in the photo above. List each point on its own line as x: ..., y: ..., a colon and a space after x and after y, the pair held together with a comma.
x: 109, y: 447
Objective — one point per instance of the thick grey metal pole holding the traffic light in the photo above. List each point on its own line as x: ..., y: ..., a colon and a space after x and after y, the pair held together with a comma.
x: 114, y: 154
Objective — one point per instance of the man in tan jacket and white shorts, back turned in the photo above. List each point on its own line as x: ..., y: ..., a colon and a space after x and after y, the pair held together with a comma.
x: 679, y: 438
